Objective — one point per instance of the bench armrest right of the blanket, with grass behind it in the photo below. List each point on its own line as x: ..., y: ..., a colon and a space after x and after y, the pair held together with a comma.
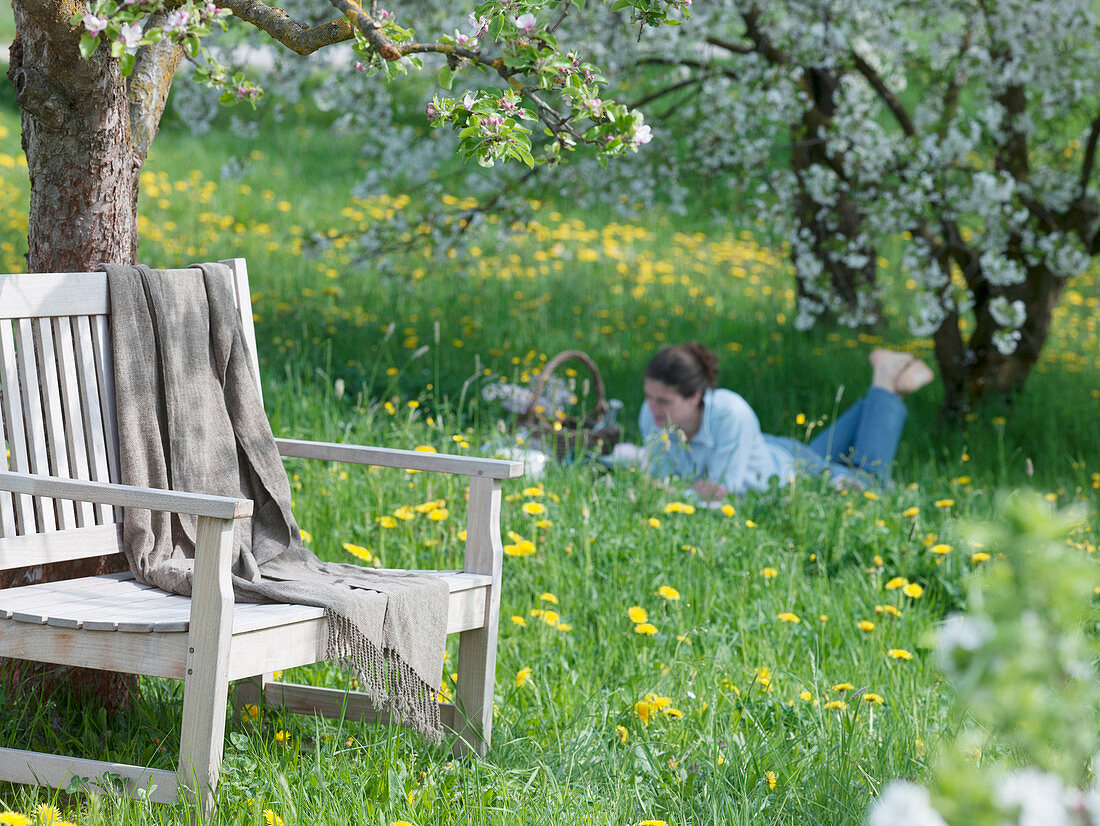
x: 412, y: 460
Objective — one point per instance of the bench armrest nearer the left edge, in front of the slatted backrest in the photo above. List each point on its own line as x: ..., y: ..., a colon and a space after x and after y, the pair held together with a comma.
x: 128, y: 497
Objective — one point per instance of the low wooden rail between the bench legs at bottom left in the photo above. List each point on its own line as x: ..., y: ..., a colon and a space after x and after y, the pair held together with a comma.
x: 57, y: 772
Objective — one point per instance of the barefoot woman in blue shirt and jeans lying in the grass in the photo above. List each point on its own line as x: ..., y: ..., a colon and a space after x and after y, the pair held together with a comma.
x: 711, y: 436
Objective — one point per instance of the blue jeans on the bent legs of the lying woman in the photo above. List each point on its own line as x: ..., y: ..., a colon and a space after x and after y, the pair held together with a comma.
x: 863, y: 440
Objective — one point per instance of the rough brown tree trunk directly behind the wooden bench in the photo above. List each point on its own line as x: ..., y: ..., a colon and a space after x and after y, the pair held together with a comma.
x: 83, y: 158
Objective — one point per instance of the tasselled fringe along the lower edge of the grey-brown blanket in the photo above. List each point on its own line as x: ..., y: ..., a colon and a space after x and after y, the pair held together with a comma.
x: 387, y: 680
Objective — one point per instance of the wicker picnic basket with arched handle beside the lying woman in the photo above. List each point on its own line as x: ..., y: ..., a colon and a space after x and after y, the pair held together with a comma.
x: 568, y: 436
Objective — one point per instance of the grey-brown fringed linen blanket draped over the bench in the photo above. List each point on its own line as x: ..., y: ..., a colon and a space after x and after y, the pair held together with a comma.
x: 191, y: 418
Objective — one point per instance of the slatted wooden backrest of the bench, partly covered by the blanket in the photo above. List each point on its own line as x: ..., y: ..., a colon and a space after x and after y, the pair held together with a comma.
x: 58, y: 406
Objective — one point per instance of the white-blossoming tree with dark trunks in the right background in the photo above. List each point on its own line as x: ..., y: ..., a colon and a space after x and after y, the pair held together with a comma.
x: 963, y: 131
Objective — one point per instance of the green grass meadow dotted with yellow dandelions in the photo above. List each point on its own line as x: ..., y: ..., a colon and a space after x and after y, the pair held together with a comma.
x: 764, y: 664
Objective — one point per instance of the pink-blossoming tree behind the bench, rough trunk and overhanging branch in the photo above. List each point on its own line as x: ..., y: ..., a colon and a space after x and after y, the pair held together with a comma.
x: 93, y: 78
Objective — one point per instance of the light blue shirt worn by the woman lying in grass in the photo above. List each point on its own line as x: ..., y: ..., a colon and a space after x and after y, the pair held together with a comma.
x: 730, y: 449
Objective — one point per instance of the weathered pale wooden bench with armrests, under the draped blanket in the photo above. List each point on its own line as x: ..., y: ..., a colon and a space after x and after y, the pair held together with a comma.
x: 60, y: 500
